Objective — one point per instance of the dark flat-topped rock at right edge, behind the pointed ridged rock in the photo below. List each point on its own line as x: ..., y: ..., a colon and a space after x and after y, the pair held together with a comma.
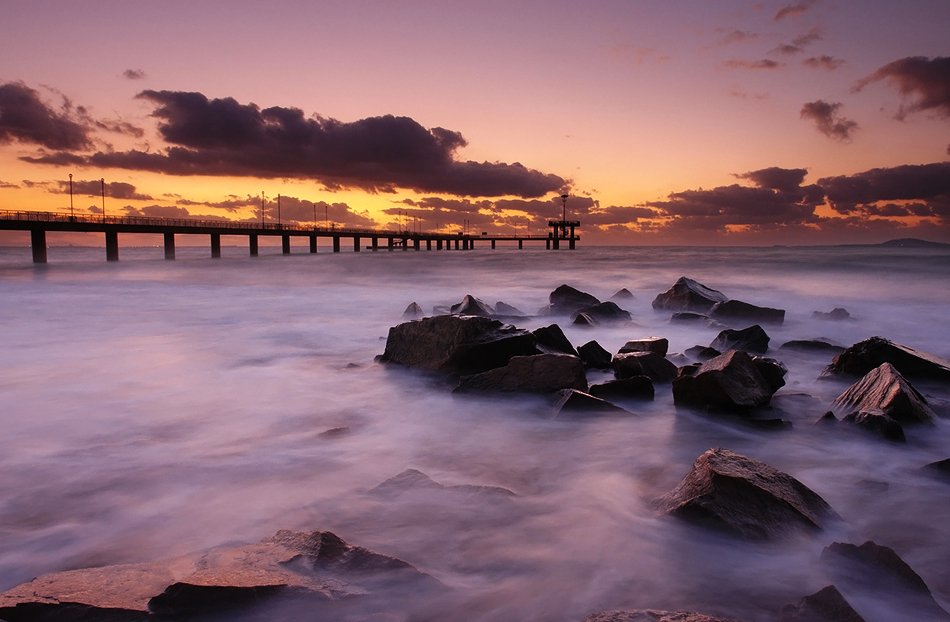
x: 862, y: 357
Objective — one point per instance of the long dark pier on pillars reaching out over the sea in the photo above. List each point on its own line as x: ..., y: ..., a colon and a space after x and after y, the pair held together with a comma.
x: 39, y: 223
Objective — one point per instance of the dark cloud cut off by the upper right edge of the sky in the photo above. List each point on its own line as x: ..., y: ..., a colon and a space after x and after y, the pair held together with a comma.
x: 924, y: 80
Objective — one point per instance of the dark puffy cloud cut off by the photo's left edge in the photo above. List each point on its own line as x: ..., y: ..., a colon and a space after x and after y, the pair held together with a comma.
x: 25, y: 118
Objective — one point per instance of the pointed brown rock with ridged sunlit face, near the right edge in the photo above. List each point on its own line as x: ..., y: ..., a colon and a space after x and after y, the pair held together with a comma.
x: 885, y: 389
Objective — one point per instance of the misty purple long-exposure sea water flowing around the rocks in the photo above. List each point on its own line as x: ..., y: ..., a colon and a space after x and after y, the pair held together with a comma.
x: 154, y: 408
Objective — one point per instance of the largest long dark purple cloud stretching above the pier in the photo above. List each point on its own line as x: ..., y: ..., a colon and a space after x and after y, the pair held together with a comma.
x: 379, y: 154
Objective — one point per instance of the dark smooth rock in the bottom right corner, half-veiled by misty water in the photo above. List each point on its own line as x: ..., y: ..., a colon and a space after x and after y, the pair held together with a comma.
x: 879, y: 572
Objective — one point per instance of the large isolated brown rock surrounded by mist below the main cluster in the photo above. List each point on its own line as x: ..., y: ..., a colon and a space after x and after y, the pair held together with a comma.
x: 746, y: 498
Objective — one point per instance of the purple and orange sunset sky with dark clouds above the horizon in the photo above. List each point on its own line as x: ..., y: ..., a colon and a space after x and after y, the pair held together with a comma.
x: 665, y: 122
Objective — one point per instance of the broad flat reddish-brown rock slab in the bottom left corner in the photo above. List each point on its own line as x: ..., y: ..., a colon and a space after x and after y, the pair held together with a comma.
x: 318, y: 568
